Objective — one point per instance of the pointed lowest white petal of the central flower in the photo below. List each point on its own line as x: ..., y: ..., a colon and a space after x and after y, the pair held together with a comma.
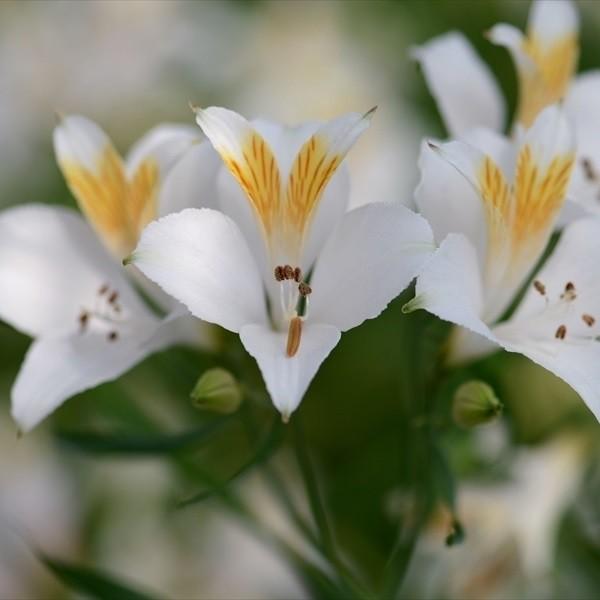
x: 287, y: 379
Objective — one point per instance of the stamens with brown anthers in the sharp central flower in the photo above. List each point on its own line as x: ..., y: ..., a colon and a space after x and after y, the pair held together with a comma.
x: 294, y: 297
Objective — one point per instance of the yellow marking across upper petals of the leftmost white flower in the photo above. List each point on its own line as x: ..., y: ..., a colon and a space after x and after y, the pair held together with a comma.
x: 118, y: 209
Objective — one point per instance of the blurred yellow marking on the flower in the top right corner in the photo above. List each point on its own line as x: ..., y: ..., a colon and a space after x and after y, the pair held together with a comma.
x: 548, y: 82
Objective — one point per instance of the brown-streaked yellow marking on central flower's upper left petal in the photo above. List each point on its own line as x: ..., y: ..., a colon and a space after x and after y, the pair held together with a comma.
x: 258, y: 175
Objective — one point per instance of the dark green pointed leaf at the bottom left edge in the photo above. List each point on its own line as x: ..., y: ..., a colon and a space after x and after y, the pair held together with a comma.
x: 92, y: 583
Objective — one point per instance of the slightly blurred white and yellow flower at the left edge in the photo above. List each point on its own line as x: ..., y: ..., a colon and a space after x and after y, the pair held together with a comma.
x: 60, y: 285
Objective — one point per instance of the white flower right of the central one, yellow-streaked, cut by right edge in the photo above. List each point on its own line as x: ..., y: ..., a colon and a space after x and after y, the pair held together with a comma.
x: 498, y: 233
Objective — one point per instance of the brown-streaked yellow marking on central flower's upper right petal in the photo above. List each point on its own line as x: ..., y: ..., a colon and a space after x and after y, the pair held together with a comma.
x: 310, y: 173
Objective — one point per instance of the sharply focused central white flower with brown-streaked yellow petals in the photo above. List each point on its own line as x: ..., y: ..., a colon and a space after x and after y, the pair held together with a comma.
x: 249, y: 272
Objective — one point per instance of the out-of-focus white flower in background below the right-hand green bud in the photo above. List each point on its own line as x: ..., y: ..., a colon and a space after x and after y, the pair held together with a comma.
x: 511, y: 527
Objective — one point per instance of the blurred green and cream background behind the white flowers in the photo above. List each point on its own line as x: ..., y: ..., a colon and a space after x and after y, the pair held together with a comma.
x: 527, y: 486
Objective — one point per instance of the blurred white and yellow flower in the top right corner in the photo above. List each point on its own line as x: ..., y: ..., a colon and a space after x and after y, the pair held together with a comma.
x: 546, y: 61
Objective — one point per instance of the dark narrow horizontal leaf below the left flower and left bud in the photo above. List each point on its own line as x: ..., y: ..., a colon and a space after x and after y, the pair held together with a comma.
x: 139, y: 444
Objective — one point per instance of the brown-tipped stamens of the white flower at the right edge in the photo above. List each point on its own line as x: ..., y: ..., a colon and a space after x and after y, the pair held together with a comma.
x: 571, y: 323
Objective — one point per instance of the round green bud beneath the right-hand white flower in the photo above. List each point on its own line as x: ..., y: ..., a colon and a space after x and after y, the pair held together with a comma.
x: 475, y: 403
